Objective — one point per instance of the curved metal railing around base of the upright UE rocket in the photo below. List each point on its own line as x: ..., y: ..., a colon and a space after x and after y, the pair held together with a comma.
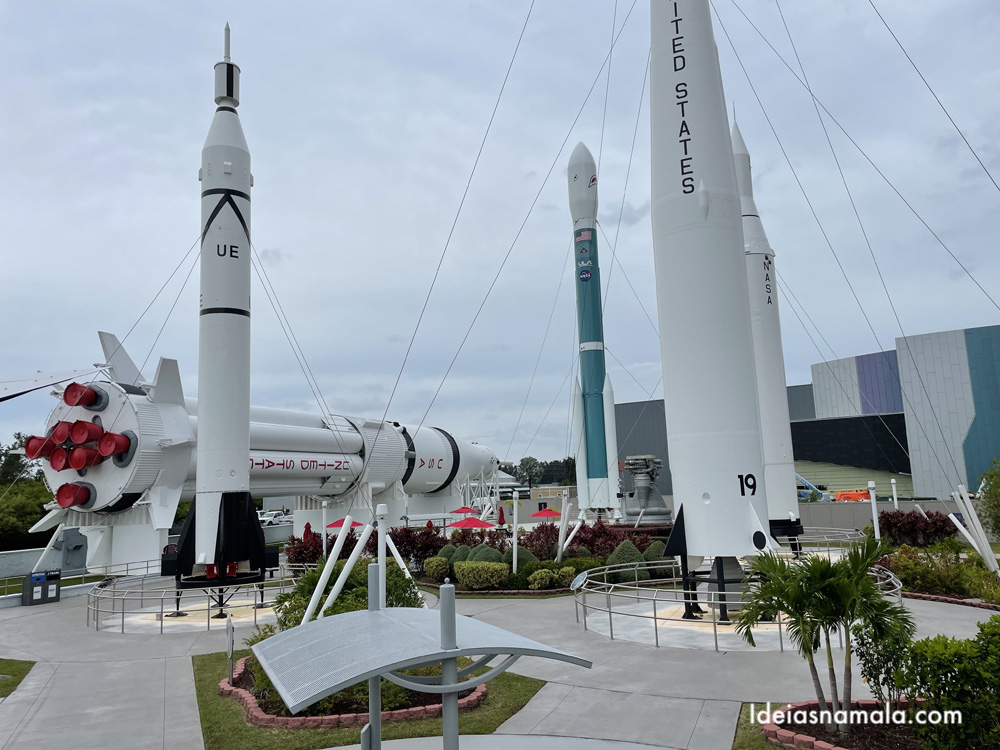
x: 120, y: 596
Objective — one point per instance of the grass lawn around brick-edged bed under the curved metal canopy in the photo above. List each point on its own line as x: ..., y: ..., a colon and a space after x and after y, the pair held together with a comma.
x: 224, y: 728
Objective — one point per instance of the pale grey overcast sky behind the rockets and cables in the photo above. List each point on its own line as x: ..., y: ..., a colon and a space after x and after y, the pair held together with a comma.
x: 364, y: 121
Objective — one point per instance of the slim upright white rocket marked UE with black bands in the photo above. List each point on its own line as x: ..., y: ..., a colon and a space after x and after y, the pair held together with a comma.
x: 224, y: 323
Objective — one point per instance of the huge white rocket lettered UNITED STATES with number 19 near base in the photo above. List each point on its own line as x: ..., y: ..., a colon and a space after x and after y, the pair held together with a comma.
x: 709, y: 381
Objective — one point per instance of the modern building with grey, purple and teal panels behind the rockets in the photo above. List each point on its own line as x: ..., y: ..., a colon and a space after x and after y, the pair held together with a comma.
x: 926, y: 414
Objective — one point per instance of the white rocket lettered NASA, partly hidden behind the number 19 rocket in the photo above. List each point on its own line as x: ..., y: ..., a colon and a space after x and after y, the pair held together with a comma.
x: 775, y: 430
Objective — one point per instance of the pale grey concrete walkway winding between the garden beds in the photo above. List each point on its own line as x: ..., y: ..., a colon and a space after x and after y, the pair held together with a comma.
x: 108, y: 691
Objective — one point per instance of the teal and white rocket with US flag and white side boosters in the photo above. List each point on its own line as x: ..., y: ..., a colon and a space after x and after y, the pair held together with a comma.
x: 594, y: 415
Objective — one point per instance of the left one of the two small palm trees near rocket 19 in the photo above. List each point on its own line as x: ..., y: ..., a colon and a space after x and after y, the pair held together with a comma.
x: 778, y: 589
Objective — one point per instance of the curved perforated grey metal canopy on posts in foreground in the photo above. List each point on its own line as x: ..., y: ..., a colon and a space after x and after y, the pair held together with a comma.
x: 319, y: 658
